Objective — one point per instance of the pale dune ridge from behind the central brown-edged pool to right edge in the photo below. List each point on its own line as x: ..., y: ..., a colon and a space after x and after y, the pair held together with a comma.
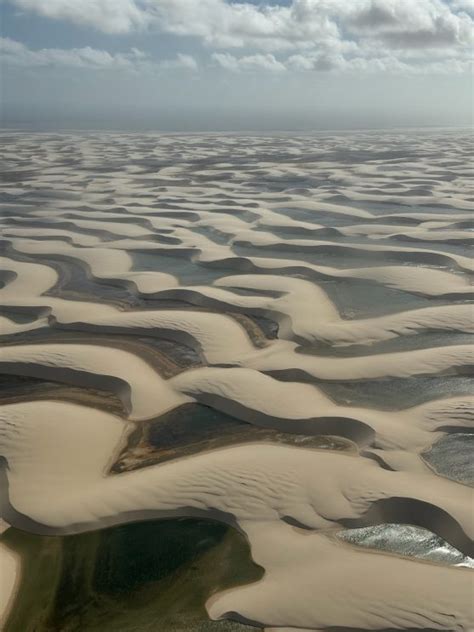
x: 291, y: 406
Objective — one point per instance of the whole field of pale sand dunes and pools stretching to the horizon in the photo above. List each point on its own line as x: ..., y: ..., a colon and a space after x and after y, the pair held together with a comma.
x: 274, y: 333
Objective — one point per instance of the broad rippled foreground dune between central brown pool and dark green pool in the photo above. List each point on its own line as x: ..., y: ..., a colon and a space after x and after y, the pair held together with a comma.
x: 252, y: 482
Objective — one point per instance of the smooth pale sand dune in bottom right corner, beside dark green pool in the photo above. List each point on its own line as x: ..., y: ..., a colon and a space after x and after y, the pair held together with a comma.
x: 314, y: 583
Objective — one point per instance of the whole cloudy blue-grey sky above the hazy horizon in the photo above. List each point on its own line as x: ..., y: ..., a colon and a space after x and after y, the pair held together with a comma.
x: 212, y: 65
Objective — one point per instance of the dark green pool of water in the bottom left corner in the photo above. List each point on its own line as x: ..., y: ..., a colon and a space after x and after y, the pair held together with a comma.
x: 132, y: 577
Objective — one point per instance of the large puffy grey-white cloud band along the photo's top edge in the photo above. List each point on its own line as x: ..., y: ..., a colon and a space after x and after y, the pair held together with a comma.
x: 301, y: 23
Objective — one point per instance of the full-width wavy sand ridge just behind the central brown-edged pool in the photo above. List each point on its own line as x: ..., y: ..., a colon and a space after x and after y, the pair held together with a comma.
x: 243, y: 392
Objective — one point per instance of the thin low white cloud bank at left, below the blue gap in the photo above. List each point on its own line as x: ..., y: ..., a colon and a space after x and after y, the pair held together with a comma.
x: 17, y: 54
